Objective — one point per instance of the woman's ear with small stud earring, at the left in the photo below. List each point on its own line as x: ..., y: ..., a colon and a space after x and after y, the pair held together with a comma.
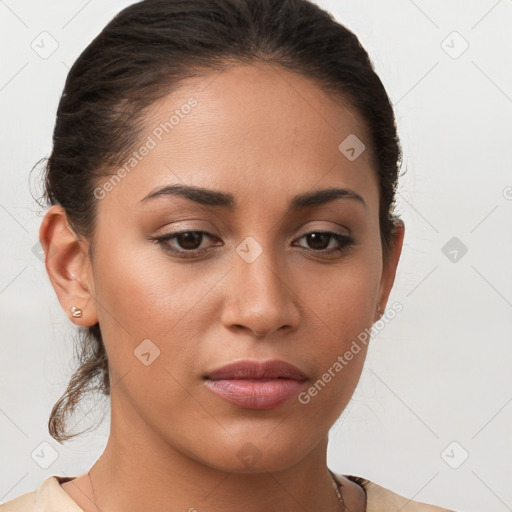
x: 68, y: 265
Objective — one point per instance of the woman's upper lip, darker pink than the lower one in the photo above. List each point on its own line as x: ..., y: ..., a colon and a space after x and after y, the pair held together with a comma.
x: 257, y: 370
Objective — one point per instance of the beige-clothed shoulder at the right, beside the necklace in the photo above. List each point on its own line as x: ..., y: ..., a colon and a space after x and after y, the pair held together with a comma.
x: 379, y: 498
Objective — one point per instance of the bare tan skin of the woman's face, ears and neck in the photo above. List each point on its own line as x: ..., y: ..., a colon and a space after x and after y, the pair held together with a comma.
x: 263, y: 134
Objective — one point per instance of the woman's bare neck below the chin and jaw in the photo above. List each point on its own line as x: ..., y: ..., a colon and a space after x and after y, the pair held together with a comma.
x: 138, y: 471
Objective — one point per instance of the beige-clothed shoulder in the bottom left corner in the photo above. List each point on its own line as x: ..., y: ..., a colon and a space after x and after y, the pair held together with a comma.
x: 48, y: 497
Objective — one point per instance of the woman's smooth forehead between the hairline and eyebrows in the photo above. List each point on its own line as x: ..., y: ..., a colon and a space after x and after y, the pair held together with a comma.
x: 249, y: 129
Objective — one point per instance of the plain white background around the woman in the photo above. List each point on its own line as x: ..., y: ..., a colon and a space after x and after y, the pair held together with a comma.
x: 439, y: 372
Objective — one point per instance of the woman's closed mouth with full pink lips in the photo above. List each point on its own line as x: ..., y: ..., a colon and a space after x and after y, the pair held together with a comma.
x: 255, y: 385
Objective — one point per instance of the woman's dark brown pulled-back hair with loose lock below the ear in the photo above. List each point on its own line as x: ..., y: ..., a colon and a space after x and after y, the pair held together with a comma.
x: 143, y: 54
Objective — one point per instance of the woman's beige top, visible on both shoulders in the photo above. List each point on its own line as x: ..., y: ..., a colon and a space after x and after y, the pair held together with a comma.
x: 51, y: 497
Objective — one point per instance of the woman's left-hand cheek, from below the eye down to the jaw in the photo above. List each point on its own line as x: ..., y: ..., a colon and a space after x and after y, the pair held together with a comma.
x: 144, y: 312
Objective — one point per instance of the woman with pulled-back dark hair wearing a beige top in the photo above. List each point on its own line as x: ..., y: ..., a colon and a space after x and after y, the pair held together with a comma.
x: 221, y: 226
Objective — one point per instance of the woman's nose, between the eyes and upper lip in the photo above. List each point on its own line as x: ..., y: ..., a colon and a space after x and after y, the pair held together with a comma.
x: 259, y: 297
